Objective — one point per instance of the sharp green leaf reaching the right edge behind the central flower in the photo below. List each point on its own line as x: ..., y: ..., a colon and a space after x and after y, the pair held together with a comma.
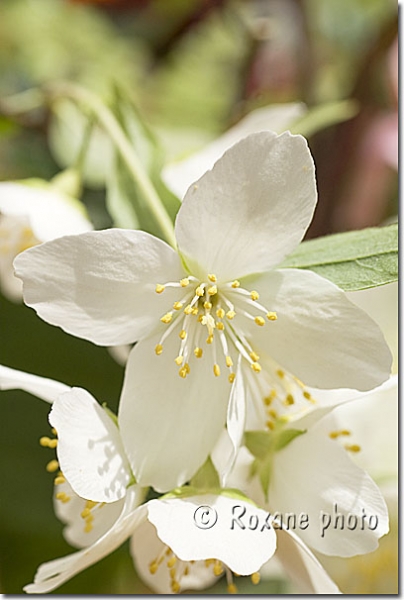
x: 354, y: 260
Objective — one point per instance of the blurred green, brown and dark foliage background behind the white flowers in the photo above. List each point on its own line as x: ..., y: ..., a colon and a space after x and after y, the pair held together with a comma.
x: 192, y: 68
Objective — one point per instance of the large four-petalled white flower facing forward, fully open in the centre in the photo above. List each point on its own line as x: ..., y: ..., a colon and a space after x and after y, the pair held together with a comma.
x: 215, y: 322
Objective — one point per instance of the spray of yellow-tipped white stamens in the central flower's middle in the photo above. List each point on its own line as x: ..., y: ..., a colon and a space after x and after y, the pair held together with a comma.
x: 205, y: 316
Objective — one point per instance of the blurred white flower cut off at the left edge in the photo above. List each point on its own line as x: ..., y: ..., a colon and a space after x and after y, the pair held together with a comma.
x: 33, y: 212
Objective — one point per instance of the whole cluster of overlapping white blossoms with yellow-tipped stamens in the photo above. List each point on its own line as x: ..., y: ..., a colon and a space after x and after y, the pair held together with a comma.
x: 236, y: 368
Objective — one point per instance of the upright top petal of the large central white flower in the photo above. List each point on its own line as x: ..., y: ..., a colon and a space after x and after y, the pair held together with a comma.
x: 251, y: 210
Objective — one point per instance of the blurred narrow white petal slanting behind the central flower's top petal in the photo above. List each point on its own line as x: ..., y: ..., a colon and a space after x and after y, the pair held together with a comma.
x: 277, y: 117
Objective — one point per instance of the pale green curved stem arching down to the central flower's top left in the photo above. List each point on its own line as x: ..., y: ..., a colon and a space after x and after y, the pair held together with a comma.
x: 109, y: 123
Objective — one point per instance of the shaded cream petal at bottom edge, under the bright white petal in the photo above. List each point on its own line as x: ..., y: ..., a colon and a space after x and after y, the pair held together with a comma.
x: 146, y: 547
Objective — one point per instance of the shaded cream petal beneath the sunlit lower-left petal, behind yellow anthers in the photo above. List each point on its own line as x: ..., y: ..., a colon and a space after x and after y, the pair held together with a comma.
x: 69, y: 512
